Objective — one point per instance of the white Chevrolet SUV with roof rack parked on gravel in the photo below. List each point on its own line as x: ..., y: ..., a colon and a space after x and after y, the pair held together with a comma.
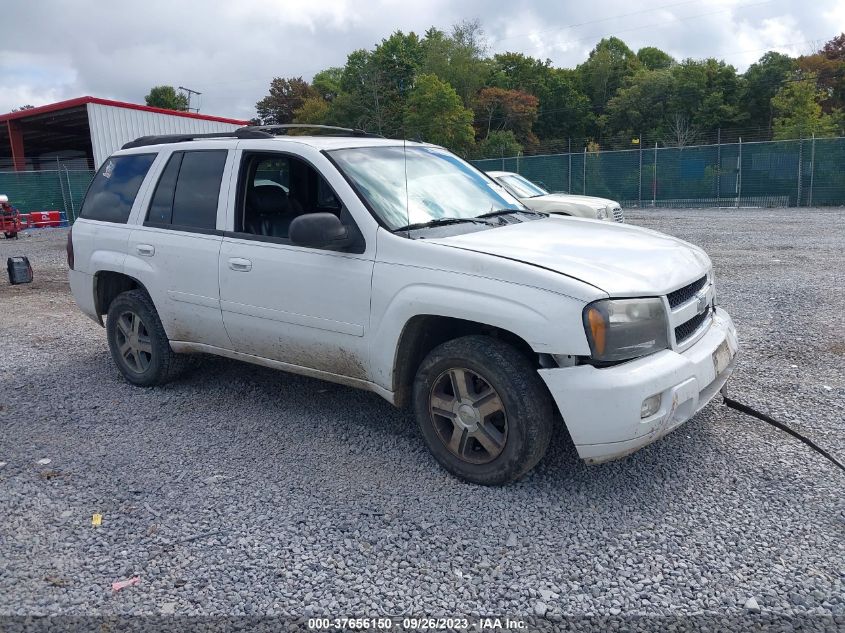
x: 401, y: 269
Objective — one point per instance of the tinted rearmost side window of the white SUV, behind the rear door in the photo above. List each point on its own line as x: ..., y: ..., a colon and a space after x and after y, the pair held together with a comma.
x: 112, y: 192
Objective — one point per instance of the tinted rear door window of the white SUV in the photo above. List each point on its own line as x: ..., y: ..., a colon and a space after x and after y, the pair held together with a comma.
x: 187, y: 191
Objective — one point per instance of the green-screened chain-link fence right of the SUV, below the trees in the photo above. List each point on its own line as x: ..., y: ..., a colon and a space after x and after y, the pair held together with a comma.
x: 802, y: 172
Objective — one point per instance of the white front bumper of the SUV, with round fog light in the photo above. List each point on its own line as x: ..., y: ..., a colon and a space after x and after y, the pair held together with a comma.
x: 601, y: 407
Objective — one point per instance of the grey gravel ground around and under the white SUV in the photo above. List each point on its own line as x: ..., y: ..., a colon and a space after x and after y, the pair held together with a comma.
x: 239, y: 490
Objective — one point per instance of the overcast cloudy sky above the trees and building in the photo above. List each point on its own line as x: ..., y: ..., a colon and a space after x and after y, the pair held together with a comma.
x: 229, y: 51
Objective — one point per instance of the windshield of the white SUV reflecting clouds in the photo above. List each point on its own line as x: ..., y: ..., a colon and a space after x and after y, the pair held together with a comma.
x: 439, y: 184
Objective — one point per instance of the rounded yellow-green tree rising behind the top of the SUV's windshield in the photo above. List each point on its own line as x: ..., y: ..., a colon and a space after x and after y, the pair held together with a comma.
x: 435, y: 113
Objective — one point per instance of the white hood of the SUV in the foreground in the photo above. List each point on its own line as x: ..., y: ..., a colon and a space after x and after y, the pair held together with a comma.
x: 621, y: 259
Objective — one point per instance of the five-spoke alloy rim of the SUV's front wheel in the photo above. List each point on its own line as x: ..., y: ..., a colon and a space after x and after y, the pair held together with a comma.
x: 468, y: 416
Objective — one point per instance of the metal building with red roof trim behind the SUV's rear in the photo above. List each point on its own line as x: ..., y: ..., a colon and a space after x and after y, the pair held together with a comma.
x: 83, y: 132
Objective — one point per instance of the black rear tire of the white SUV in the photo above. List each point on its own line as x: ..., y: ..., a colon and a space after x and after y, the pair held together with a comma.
x: 157, y: 363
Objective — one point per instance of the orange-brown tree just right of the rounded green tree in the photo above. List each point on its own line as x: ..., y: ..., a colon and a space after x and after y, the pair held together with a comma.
x: 512, y: 110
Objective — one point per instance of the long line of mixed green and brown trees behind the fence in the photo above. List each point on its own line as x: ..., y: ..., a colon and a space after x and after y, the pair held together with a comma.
x: 445, y: 88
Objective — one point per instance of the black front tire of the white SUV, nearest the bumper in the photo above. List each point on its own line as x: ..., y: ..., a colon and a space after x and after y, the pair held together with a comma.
x: 526, y: 408
